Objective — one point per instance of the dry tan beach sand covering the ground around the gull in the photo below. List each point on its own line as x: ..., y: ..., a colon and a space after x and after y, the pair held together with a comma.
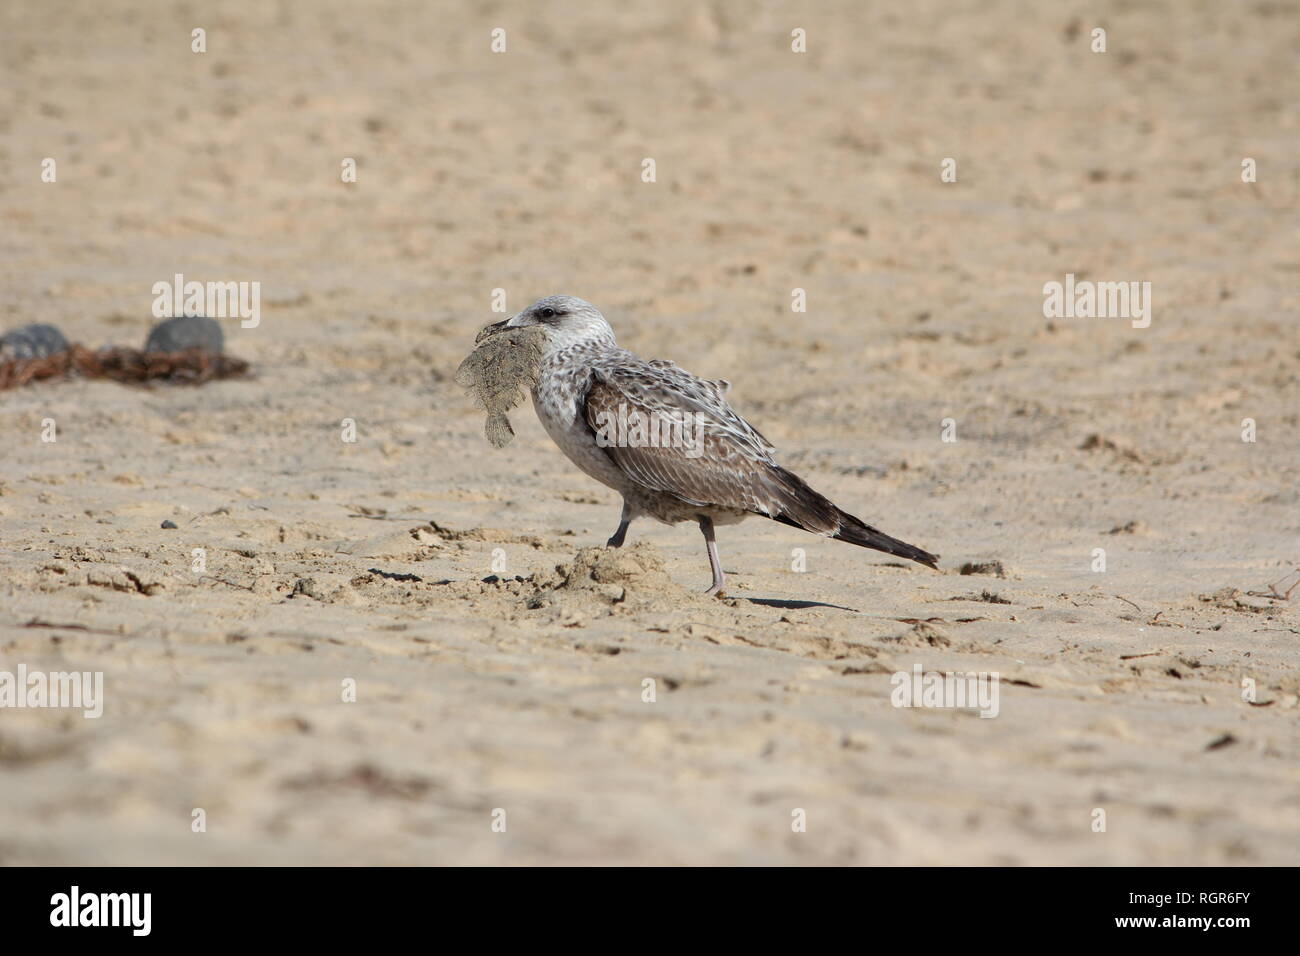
x: 1121, y: 690
